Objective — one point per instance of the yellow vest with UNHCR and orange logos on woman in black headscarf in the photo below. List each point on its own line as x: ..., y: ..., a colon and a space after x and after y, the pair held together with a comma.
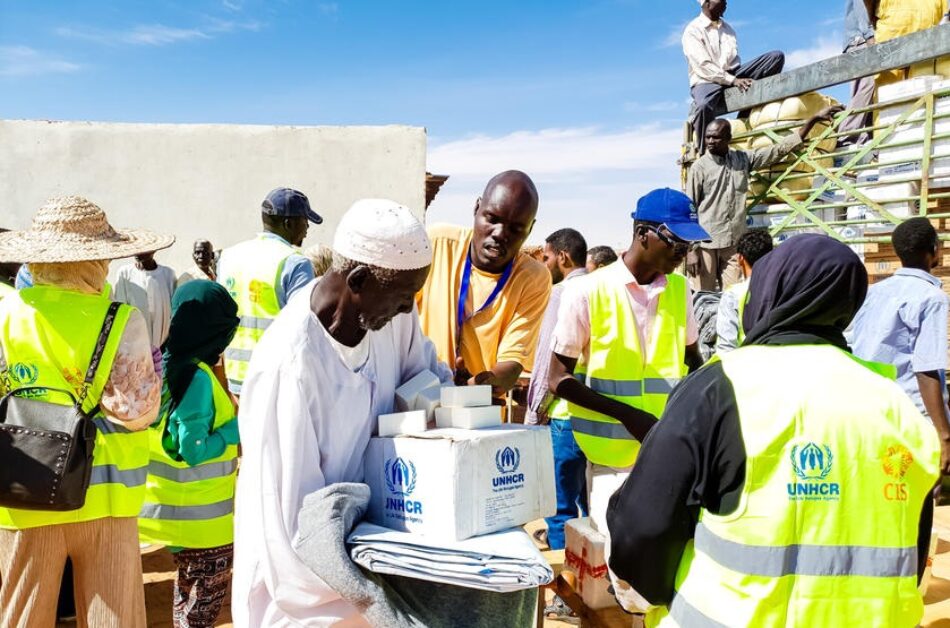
x: 826, y: 527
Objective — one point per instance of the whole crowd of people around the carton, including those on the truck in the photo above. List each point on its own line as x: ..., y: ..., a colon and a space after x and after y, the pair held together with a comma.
x: 735, y: 492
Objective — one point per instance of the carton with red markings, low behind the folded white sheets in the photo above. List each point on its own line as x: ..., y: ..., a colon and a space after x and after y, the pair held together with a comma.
x: 584, y: 555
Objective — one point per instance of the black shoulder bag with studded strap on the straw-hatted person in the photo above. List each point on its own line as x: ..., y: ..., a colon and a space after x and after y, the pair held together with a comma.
x: 46, y: 449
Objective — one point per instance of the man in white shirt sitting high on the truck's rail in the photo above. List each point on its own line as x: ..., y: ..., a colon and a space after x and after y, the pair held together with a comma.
x: 712, y: 57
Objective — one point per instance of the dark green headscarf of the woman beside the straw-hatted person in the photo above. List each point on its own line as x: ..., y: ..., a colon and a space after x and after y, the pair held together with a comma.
x: 204, y: 319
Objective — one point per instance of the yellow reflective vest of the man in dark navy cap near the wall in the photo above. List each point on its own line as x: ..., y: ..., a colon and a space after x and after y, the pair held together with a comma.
x: 251, y: 272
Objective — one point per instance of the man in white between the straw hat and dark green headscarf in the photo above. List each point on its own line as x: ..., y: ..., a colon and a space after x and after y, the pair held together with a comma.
x: 148, y: 286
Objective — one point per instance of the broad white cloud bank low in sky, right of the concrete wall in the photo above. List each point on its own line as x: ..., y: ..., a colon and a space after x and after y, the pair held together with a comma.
x: 588, y: 178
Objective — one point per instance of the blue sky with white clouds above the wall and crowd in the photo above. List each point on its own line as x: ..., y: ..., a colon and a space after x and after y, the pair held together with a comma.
x: 587, y: 97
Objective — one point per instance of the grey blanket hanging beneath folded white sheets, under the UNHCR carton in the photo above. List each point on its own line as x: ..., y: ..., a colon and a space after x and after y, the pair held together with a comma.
x: 325, y: 521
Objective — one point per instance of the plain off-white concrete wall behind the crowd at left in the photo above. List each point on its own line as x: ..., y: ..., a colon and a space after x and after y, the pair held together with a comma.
x: 205, y: 181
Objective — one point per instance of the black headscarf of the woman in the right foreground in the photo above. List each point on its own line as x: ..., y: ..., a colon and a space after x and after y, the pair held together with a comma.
x: 806, y: 291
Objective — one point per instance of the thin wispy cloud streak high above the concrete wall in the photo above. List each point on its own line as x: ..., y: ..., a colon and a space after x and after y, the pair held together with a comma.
x: 156, y: 34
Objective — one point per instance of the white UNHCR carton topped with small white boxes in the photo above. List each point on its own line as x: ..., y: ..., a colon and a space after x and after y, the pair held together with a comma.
x: 446, y: 468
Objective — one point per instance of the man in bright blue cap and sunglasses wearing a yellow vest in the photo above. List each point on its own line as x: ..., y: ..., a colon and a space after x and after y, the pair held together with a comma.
x: 625, y: 337
